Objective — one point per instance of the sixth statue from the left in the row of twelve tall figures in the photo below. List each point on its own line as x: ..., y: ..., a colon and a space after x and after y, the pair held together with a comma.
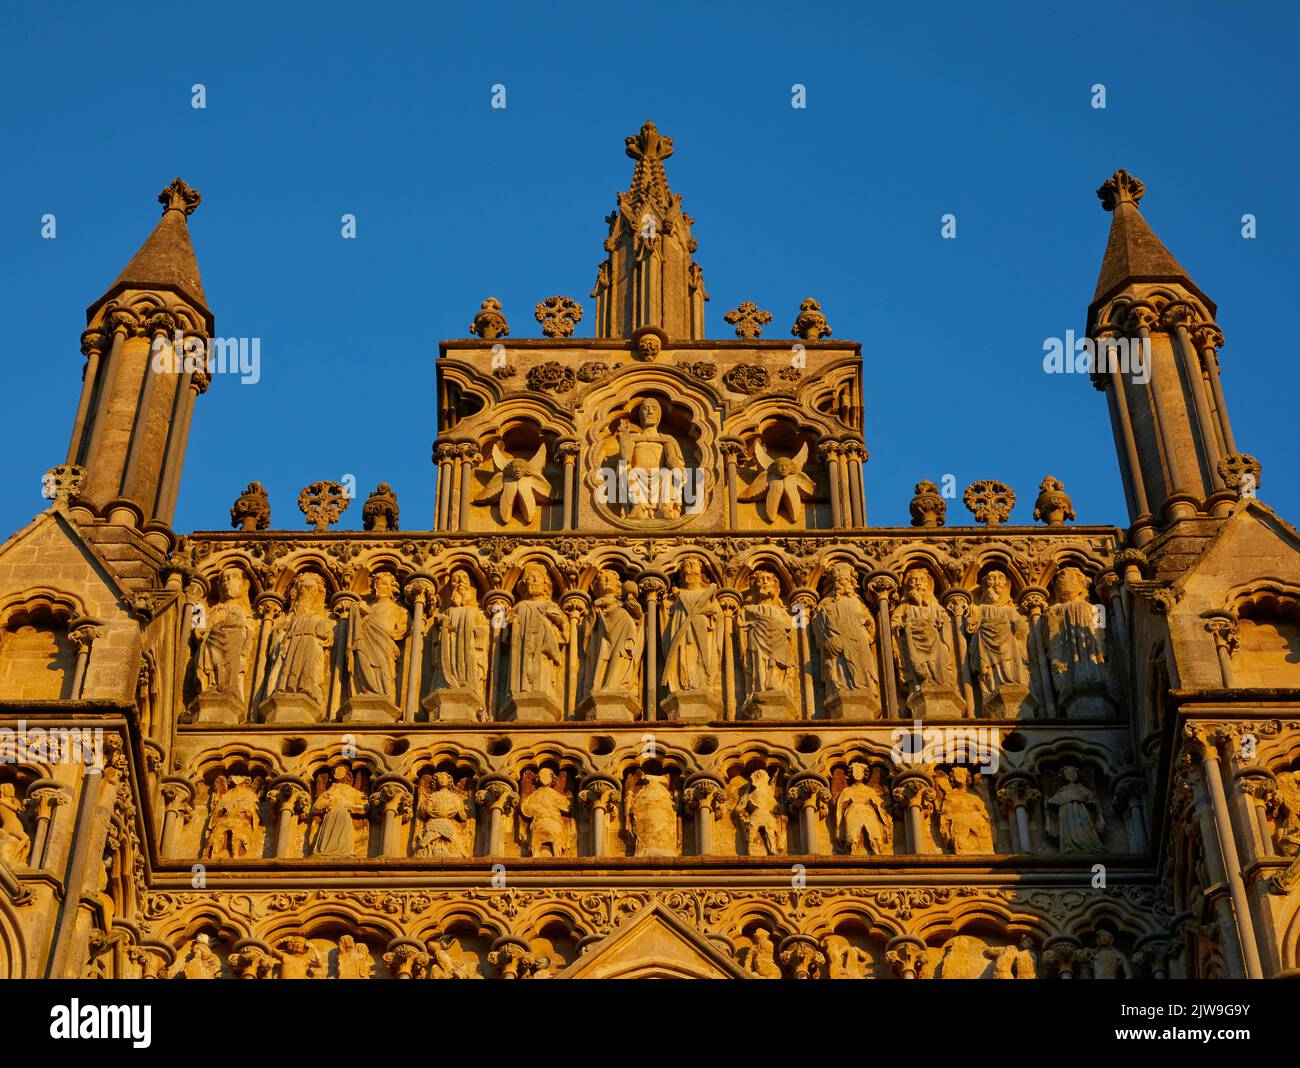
x: 612, y: 674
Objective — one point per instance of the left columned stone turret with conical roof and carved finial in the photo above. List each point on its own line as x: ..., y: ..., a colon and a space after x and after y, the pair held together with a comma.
x: 146, y: 349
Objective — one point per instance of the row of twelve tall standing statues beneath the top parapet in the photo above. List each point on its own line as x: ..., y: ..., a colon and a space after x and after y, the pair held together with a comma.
x: 976, y: 657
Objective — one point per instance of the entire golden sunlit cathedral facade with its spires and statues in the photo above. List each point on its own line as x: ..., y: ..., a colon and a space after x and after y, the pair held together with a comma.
x: 652, y: 698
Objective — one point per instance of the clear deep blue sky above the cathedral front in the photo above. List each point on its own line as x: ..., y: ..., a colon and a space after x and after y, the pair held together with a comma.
x: 384, y: 112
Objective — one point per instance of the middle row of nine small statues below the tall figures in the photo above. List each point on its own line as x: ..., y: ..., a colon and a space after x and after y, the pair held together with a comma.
x: 652, y: 807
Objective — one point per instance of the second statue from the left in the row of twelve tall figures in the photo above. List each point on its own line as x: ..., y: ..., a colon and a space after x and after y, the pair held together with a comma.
x: 298, y: 655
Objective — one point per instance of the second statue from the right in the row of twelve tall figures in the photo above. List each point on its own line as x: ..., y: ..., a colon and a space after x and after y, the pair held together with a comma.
x: 998, y: 654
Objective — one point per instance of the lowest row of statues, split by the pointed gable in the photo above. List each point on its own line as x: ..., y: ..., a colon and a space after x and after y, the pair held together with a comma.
x: 835, y: 957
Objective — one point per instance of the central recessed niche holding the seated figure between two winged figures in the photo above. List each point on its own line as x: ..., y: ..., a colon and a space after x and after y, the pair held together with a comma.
x: 651, y: 474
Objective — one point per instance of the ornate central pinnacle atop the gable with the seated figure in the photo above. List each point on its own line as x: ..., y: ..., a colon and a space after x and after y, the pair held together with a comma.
x: 649, y: 277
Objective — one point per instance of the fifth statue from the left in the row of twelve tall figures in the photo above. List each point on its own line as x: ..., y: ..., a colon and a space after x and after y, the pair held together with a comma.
x: 536, y: 633
